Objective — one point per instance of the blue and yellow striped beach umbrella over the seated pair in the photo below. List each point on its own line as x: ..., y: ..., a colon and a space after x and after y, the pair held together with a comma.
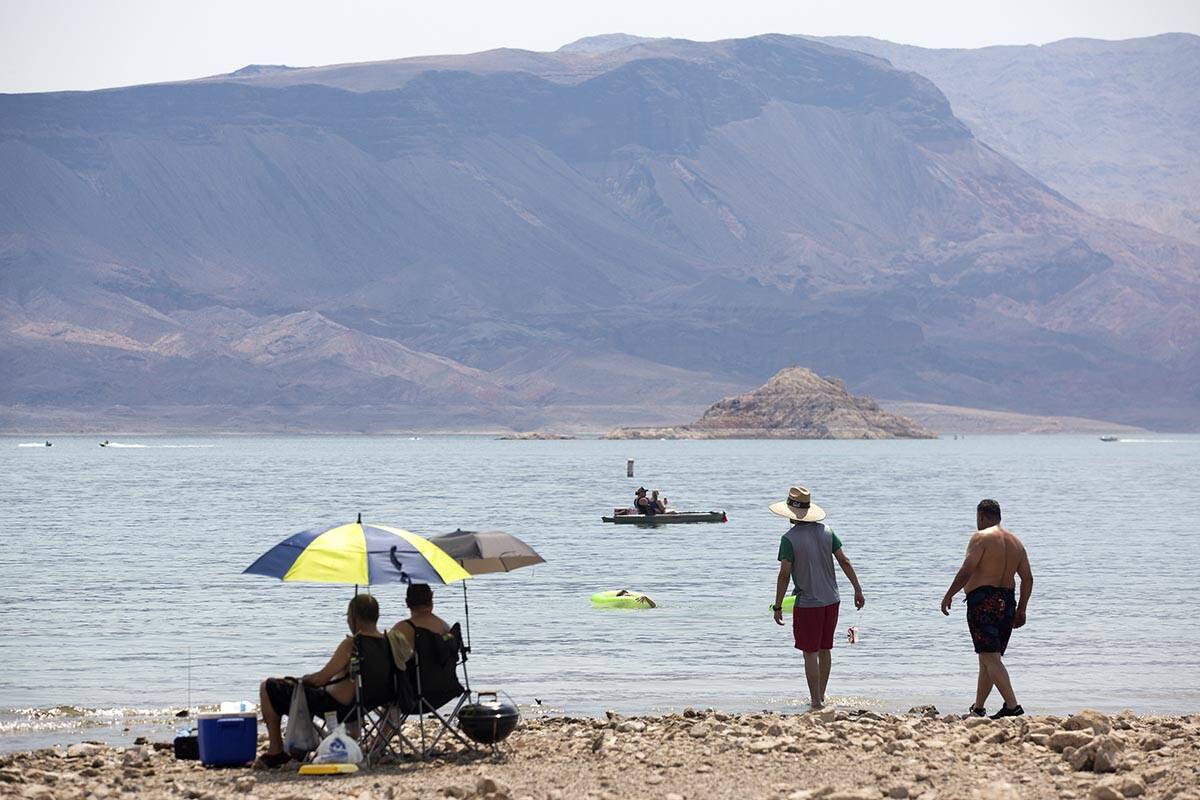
x: 363, y: 555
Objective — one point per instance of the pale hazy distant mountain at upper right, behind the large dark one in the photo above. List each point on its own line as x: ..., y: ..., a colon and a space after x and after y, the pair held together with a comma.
x: 1113, y: 125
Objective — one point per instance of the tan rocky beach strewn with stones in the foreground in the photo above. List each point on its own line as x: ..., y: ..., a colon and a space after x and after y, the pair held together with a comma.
x: 832, y: 755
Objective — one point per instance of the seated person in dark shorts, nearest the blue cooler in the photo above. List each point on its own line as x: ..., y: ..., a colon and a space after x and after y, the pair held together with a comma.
x: 328, y: 690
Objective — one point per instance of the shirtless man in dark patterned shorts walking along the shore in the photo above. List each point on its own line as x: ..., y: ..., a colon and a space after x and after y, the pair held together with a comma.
x: 988, y: 575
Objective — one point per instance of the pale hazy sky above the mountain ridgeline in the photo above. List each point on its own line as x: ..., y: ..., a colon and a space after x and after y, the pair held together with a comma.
x: 49, y: 45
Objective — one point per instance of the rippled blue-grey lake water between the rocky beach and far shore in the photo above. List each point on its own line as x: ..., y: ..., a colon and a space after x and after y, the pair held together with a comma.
x: 121, y: 587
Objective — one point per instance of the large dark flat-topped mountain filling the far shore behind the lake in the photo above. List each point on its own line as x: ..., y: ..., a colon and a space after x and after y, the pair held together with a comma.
x: 617, y: 233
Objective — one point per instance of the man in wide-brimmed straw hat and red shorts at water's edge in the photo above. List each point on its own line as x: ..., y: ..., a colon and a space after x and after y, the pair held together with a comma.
x: 806, y: 560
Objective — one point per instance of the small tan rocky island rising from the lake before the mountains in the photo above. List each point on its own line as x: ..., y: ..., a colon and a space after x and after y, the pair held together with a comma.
x: 796, y: 404
